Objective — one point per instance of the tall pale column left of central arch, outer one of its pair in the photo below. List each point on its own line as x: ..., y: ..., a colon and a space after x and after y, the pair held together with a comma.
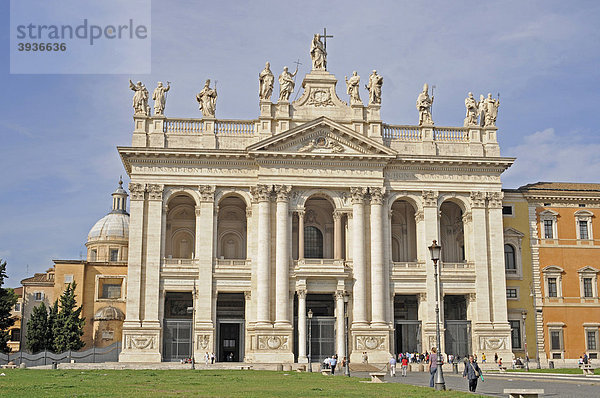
x: 263, y: 196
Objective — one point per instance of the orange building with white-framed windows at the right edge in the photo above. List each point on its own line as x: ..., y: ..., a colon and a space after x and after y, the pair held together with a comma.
x: 566, y: 264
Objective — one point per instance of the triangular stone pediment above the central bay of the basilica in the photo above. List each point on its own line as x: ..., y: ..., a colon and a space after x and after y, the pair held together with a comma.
x: 321, y: 136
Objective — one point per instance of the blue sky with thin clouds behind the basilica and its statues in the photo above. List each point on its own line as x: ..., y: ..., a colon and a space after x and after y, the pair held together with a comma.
x: 59, y: 162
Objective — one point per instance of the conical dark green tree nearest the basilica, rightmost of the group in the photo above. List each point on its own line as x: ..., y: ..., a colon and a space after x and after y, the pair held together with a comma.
x: 68, y: 327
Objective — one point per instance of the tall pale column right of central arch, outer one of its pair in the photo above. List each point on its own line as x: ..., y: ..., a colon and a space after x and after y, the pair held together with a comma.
x: 378, y: 289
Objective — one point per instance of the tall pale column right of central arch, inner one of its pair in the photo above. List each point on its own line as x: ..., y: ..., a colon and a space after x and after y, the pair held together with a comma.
x: 359, y: 266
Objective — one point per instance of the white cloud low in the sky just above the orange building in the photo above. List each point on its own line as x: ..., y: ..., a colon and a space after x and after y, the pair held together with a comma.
x: 548, y: 156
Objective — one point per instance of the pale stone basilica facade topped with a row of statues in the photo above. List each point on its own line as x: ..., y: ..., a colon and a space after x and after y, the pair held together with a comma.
x: 306, y: 230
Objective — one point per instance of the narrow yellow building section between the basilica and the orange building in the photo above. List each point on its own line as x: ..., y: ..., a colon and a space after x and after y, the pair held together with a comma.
x: 519, y: 277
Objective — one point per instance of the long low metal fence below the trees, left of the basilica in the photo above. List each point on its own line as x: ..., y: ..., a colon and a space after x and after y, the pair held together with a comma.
x: 91, y: 355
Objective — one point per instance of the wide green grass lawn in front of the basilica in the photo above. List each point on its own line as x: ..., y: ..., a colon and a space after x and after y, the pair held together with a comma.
x: 185, y: 383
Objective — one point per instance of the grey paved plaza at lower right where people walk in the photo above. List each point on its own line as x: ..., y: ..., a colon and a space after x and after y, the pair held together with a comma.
x: 494, y: 384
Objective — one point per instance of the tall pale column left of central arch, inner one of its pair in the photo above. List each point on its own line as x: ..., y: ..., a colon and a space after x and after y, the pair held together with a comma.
x: 282, y: 266
